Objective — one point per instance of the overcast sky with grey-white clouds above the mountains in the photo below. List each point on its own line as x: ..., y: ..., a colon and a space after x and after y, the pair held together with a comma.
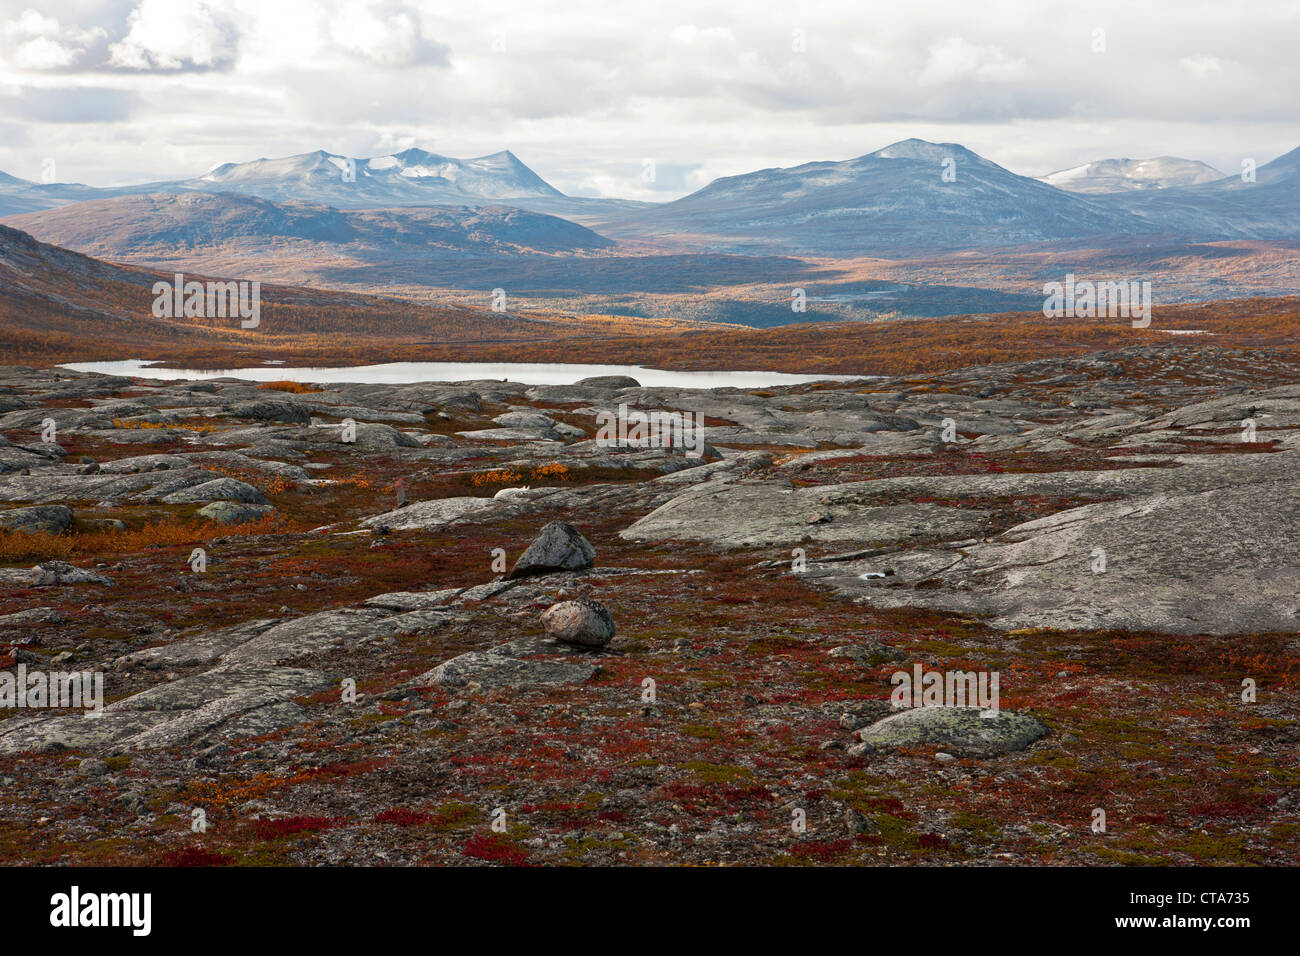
x: 122, y: 92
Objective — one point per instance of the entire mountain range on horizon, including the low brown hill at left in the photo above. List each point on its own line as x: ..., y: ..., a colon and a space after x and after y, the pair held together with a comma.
x: 908, y: 198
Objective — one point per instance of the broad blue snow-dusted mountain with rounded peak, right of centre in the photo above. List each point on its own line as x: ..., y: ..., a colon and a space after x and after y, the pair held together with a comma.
x: 911, y: 196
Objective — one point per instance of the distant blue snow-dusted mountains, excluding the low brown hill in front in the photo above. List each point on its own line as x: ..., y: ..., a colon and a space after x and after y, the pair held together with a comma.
x: 907, y: 198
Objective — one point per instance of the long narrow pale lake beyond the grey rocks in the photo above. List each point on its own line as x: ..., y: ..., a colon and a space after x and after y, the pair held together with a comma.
x: 408, y: 373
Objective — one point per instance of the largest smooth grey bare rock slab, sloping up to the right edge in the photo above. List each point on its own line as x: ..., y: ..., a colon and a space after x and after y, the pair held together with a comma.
x: 1223, y: 561
